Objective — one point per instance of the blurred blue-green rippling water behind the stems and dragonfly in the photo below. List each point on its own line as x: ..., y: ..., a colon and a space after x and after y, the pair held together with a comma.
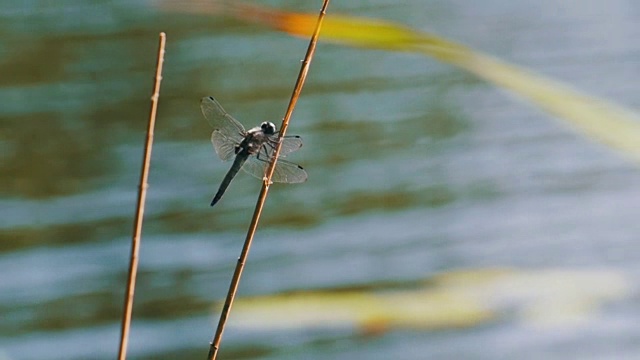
x: 416, y: 170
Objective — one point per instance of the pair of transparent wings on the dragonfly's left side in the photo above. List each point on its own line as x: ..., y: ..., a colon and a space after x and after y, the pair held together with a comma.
x: 227, y: 133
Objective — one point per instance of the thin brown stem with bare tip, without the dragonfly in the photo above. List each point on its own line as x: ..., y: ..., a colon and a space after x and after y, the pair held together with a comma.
x: 142, y: 194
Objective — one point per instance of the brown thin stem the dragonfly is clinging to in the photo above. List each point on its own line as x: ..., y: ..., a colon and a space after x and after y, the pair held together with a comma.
x: 237, y: 274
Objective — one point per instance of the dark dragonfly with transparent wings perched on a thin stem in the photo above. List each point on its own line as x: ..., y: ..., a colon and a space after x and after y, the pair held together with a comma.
x: 252, y: 150
